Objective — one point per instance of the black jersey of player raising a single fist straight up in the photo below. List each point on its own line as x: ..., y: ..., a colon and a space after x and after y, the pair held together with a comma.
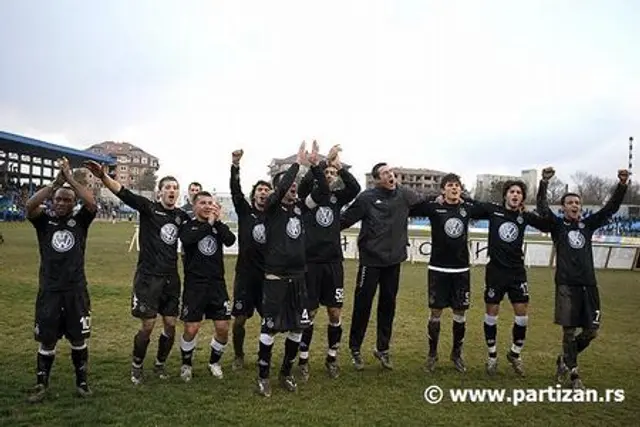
x: 252, y: 235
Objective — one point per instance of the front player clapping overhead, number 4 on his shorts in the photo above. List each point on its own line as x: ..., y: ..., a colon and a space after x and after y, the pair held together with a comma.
x: 284, y: 290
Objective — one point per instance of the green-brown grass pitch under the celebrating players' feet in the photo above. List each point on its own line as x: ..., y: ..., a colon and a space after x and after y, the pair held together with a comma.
x: 372, y: 397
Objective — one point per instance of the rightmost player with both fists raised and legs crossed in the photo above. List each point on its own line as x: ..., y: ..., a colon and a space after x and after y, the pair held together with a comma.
x: 577, y: 297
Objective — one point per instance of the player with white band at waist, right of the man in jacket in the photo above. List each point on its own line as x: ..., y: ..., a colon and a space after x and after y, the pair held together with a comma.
x: 448, y: 272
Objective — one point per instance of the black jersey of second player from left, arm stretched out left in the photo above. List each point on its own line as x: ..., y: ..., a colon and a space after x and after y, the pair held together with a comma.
x: 159, y: 229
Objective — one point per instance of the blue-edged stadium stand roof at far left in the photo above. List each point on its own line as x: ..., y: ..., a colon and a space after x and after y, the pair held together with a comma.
x: 18, y: 144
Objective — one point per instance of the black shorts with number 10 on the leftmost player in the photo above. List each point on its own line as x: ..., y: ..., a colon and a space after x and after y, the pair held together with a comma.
x: 62, y: 314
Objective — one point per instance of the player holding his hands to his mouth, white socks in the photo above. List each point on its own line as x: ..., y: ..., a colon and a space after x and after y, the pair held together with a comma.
x: 205, y: 291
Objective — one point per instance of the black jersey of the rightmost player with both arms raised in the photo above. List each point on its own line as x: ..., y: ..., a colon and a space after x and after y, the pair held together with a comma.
x: 572, y: 239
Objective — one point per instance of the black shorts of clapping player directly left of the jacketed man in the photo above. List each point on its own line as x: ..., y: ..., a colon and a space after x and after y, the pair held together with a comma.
x: 325, y: 285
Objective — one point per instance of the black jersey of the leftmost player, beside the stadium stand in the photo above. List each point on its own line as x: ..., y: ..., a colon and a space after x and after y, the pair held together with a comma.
x: 62, y: 243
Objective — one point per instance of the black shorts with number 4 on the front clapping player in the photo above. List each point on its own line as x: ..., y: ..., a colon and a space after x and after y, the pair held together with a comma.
x: 284, y: 305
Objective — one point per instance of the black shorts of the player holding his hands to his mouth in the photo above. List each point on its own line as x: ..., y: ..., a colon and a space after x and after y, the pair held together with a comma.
x: 205, y: 301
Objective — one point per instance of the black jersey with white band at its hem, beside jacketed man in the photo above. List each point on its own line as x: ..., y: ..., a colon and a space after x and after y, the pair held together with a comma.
x: 449, y: 232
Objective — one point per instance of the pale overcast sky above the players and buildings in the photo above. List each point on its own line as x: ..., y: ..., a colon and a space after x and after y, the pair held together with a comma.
x: 466, y: 86
